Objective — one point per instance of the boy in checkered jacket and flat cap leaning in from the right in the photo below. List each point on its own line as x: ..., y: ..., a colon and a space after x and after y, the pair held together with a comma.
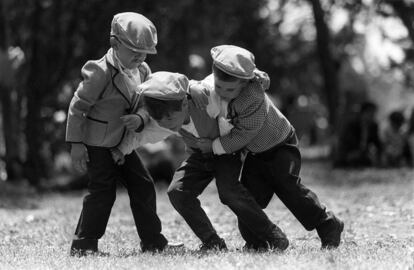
x: 273, y: 159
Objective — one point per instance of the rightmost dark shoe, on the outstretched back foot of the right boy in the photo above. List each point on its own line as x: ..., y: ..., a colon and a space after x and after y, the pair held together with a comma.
x: 330, y: 233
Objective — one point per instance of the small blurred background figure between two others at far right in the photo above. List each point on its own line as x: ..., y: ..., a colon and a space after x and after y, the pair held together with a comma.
x: 396, y: 150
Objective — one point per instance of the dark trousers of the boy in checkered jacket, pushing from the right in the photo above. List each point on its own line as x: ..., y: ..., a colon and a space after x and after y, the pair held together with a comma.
x: 276, y: 171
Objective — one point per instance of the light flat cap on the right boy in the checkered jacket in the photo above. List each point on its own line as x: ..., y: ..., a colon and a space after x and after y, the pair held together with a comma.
x: 234, y: 60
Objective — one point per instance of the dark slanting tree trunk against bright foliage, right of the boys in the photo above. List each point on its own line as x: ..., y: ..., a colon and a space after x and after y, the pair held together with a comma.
x: 328, y: 64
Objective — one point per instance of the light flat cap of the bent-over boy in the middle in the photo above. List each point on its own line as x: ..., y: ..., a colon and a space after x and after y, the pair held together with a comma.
x: 165, y: 85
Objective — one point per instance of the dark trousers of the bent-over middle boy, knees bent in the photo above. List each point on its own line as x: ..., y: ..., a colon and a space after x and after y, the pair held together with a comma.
x: 192, y: 178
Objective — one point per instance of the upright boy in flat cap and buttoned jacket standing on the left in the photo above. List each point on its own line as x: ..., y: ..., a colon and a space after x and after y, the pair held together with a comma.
x: 99, y: 115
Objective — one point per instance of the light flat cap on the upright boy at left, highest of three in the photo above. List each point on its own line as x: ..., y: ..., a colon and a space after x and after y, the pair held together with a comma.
x: 135, y: 31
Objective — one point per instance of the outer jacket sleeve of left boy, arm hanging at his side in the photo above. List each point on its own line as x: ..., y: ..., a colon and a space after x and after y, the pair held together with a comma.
x: 86, y: 95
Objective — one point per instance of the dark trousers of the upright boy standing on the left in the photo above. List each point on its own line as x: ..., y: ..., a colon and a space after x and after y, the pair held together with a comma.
x: 103, y: 174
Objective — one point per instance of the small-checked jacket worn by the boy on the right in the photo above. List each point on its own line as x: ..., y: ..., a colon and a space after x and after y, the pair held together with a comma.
x: 258, y: 124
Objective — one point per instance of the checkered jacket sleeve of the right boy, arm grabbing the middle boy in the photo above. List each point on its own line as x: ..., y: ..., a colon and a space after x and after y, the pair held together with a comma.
x: 250, y: 110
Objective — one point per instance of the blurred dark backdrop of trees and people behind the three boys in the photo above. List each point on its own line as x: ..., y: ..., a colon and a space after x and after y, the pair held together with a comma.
x: 341, y: 71
